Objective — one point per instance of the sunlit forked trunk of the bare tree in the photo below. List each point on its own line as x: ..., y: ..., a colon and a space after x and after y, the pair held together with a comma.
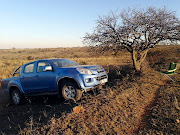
x: 138, y: 58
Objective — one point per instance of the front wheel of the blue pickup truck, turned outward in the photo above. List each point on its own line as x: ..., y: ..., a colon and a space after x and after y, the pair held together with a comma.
x: 71, y: 91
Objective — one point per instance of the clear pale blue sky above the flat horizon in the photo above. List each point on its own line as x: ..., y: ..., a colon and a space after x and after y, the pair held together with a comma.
x: 60, y: 23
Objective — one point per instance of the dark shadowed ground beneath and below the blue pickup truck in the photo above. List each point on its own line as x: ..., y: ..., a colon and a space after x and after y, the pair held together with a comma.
x: 36, y: 109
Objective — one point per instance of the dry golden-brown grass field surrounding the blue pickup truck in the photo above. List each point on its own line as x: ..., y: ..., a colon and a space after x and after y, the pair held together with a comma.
x: 128, y: 104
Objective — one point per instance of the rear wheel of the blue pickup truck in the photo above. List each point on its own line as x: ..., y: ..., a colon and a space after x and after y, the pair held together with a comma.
x: 16, y: 97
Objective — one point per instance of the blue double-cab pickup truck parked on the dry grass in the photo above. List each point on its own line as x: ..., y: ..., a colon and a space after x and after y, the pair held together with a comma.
x: 62, y: 77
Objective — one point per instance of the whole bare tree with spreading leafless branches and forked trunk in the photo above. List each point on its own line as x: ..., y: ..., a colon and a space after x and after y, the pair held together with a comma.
x: 135, y: 30
